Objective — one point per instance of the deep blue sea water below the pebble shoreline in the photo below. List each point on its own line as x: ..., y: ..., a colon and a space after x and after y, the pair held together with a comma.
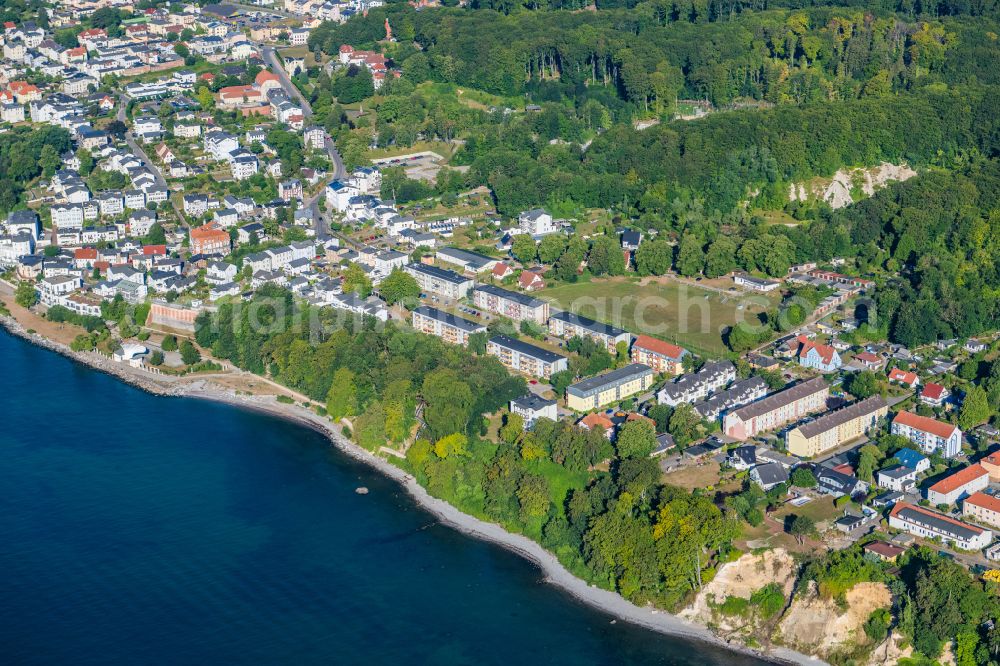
x: 137, y: 529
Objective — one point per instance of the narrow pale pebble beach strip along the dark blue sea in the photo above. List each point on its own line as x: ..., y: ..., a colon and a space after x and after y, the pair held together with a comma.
x: 553, y: 571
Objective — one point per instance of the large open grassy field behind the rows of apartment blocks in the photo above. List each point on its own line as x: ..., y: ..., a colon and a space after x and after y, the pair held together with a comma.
x: 685, y: 315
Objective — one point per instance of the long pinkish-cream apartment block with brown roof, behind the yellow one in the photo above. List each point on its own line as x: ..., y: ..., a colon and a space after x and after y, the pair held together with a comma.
x: 776, y: 410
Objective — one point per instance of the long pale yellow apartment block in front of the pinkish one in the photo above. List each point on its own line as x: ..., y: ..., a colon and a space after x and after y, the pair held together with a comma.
x: 836, y: 427
